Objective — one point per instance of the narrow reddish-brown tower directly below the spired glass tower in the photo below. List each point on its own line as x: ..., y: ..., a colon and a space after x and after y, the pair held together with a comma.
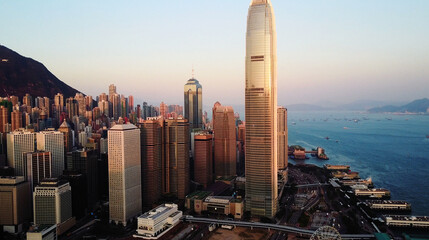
x: 203, y: 159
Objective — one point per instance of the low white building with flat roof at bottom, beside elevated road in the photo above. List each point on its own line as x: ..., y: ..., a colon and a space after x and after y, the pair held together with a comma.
x: 158, y: 221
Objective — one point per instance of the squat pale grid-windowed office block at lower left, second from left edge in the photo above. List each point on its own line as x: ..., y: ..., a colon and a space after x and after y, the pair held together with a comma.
x: 52, y: 204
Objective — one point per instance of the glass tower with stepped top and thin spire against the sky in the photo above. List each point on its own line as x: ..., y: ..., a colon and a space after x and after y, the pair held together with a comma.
x: 194, y: 103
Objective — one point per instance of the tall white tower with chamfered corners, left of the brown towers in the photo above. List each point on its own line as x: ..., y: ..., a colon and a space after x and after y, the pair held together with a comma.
x: 124, y: 173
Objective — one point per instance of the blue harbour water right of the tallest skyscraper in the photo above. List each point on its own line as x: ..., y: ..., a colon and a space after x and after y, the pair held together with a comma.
x: 391, y: 149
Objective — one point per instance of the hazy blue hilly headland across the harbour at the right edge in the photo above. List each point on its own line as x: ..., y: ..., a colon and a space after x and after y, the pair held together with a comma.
x: 416, y: 106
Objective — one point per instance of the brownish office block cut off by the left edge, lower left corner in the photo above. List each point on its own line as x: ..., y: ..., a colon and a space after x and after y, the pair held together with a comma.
x: 15, y: 207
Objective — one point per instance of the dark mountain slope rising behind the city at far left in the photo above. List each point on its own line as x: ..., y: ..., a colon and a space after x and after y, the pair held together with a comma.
x: 20, y: 75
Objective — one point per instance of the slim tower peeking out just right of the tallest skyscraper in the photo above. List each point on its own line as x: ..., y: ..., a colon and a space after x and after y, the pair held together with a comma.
x: 282, y: 143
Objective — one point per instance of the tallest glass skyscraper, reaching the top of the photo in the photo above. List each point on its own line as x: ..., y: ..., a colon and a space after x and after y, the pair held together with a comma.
x: 261, y: 110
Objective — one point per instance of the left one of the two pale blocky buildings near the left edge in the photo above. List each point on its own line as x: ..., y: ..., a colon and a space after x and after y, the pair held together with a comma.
x: 19, y: 142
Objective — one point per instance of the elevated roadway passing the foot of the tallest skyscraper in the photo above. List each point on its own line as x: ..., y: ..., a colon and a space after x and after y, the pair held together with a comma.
x: 269, y: 226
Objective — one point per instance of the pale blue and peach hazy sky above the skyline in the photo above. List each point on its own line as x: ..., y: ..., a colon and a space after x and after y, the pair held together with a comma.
x: 328, y: 51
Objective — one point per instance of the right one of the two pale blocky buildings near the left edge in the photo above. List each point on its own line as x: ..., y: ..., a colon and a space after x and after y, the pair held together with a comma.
x: 53, y: 141
